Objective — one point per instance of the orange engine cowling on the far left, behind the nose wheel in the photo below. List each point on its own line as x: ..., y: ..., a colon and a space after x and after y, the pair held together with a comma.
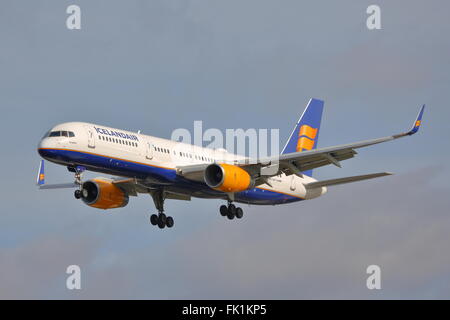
x: 103, y: 194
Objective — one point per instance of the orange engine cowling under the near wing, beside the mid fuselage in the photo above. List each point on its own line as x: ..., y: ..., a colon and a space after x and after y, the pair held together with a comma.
x: 227, y: 178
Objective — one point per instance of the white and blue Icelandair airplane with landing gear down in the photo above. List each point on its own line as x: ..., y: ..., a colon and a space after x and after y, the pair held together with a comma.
x: 167, y: 169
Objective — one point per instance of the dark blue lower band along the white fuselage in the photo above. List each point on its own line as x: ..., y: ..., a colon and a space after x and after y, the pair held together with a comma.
x: 126, y: 168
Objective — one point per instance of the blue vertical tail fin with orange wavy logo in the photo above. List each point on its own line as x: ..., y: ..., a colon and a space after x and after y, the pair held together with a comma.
x: 306, y: 132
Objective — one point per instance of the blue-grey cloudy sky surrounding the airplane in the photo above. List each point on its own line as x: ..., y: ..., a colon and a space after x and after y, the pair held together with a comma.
x: 159, y: 65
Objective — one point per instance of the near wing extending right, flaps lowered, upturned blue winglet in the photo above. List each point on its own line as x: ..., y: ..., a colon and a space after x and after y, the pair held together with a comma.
x: 297, y: 162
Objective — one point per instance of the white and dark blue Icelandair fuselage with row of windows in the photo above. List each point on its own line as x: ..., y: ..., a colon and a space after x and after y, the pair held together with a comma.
x: 156, y: 160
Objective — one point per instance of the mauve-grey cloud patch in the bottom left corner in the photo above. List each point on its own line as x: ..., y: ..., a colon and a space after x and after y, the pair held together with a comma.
x: 36, y: 269
